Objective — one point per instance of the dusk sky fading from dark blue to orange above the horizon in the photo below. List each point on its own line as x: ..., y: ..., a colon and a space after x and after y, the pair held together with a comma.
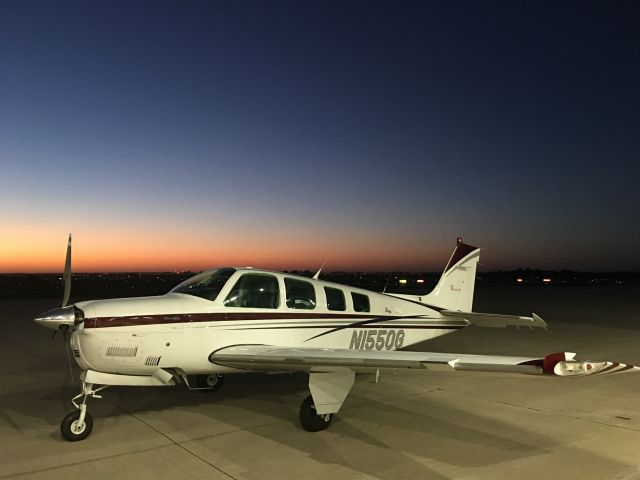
x: 186, y: 135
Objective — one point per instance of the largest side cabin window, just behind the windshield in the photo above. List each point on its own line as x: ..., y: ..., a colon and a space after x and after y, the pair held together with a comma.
x: 254, y: 290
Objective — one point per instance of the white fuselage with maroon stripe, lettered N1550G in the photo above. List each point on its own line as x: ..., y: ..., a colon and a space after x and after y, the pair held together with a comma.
x: 136, y: 336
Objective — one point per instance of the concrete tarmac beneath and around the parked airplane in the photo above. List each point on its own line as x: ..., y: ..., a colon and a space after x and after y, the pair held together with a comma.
x: 426, y: 425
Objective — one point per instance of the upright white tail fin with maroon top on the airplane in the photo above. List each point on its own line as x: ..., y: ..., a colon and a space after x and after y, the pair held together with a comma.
x: 454, y: 290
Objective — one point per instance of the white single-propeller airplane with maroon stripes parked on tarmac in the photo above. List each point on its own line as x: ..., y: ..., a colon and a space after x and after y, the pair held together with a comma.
x: 236, y: 320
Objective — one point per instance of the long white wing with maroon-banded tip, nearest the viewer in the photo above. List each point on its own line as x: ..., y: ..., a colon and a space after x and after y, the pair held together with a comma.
x: 273, y: 358
